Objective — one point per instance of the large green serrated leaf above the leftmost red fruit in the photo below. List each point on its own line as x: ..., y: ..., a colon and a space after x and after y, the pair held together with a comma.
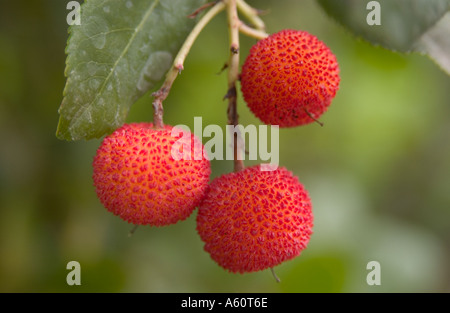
x: 120, y: 51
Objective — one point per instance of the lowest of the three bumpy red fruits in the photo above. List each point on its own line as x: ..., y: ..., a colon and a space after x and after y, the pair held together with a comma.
x: 253, y: 220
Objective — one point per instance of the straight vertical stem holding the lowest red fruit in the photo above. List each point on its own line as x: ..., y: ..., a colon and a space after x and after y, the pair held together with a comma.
x: 233, y: 77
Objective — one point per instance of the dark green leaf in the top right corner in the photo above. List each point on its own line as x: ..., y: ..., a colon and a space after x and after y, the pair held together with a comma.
x: 406, y: 25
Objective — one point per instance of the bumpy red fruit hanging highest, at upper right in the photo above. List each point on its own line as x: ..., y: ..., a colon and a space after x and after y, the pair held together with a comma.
x: 289, y: 78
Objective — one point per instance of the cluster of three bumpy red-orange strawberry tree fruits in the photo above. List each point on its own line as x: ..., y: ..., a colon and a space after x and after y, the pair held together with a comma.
x: 250, y: 220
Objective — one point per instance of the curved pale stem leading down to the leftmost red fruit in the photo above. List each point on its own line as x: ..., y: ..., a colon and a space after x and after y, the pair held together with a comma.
x: 178, y: 64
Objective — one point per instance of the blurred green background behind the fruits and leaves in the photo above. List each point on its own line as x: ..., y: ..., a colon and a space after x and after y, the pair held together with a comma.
x: 378, y: 173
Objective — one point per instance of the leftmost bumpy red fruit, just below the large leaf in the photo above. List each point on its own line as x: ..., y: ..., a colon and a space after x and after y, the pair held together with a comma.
x: 137, y: 178
